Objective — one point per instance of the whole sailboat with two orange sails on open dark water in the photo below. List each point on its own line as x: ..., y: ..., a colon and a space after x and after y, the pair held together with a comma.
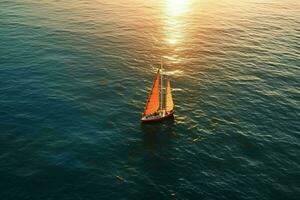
x: 157, y: 107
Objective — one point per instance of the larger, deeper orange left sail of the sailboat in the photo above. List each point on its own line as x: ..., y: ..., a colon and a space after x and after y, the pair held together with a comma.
x: 153, y: 101
